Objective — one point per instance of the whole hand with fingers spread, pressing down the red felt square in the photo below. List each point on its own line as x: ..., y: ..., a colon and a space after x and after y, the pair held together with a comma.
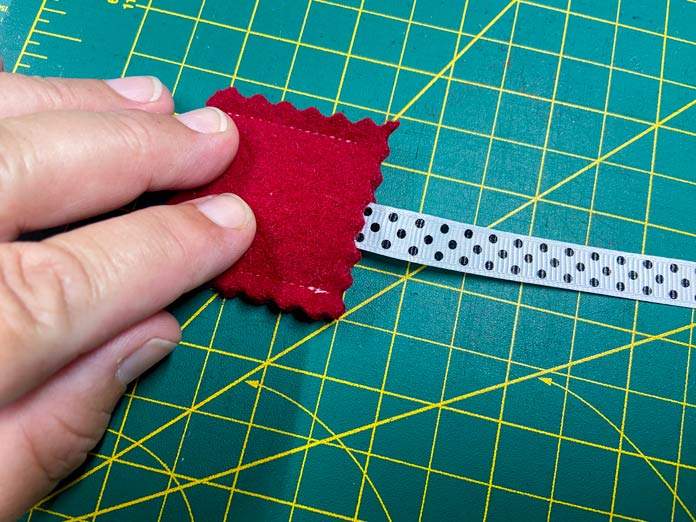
x: 80, y: 312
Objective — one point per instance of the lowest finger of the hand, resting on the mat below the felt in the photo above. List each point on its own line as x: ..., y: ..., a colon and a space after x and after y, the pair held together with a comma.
x: 46, y: 434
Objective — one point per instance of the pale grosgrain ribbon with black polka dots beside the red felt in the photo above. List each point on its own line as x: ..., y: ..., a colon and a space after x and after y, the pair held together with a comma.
x: 428, y: 240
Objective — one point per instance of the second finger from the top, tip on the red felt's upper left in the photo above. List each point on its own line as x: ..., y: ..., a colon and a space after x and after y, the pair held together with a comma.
x: 58, y: 167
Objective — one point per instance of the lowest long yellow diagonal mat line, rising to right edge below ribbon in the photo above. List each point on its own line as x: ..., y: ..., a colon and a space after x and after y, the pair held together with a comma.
x: 482, y: 391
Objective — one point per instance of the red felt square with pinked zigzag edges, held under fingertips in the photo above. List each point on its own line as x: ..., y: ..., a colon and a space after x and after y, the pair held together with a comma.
x: 308, y: 179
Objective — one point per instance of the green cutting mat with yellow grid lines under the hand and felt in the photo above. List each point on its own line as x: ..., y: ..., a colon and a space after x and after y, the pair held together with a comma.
x: 437, y: 396
